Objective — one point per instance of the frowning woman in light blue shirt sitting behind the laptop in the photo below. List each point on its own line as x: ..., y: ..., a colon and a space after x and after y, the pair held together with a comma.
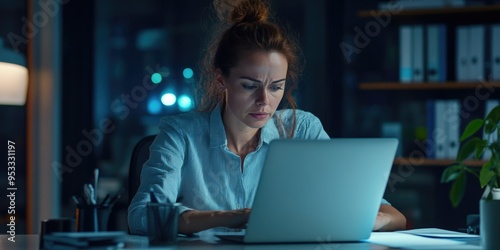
x: 210, y: 161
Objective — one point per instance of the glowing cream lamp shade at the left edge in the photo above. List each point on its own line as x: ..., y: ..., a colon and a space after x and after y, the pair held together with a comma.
x: 13, y: 77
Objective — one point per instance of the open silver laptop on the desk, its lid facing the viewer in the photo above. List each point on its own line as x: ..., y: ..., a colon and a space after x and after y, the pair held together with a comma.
x: 319, y: 191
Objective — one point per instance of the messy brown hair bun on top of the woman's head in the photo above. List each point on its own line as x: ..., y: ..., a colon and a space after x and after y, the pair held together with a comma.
x: 243, y: 11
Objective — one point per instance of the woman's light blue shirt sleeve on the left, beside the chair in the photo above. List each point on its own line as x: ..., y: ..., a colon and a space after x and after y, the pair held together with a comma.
x: 162, y: 172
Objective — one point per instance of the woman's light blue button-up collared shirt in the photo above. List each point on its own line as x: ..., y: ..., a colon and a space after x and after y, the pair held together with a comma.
x: 190, y: 163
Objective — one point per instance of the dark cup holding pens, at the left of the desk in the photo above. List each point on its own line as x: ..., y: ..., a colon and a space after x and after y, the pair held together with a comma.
x: 92, y: 218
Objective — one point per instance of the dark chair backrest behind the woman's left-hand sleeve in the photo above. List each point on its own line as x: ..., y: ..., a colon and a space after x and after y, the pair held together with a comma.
x: 140, y: 155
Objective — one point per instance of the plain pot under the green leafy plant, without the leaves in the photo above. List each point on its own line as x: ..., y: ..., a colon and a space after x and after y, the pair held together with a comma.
x: 489, y: 224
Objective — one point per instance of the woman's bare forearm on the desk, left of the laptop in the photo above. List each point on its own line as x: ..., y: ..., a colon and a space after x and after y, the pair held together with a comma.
x: 194, y: 221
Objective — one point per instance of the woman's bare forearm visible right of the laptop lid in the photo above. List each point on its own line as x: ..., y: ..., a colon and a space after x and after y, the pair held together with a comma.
x: 389, y: 219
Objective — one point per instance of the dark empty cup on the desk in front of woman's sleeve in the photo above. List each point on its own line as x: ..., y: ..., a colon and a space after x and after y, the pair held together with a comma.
x: 163, y: 220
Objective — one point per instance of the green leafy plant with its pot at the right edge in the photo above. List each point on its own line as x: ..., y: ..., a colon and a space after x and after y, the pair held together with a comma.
x: 489, y: 174
